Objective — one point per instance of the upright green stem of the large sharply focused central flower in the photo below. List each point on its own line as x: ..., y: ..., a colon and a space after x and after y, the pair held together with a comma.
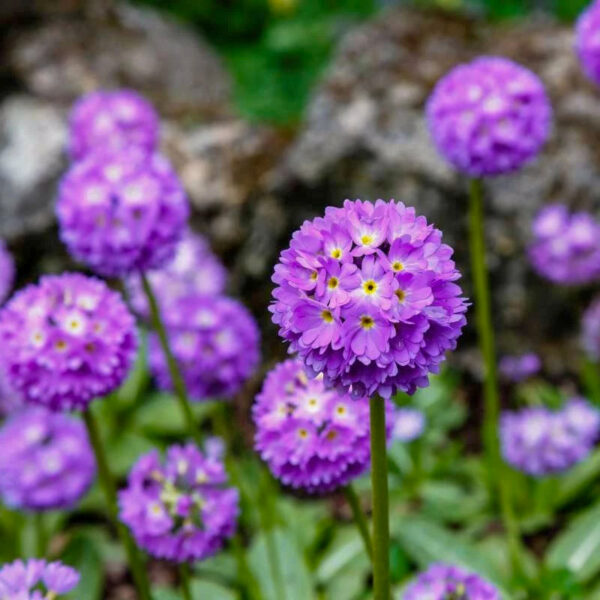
x: 381, y: 518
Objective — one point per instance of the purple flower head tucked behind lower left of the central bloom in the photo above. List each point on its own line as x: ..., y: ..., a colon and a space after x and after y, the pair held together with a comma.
x: 312, y: 438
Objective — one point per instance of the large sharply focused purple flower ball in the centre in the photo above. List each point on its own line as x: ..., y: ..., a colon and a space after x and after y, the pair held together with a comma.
x: 366, y: 296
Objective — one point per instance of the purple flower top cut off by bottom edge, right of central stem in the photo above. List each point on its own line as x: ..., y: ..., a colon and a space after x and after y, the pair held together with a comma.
x: 448, y: 582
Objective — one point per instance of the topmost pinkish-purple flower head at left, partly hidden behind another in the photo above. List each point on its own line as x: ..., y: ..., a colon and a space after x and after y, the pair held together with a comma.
x: 111, y: 121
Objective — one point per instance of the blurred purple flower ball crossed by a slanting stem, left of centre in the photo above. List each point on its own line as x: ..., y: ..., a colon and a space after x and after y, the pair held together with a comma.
x: 215, y: 340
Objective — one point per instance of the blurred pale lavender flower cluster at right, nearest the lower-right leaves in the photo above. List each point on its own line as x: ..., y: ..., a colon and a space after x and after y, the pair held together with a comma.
x: 539, y: 441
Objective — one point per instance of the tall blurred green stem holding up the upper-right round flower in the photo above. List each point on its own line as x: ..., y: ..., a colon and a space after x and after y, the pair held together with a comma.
x: 483, y: 314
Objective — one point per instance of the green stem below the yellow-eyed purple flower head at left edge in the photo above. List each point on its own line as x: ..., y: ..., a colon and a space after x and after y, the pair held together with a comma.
x: 108, y: 485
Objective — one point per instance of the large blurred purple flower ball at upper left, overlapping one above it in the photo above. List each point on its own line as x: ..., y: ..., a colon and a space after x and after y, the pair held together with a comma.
x: 122, y: 212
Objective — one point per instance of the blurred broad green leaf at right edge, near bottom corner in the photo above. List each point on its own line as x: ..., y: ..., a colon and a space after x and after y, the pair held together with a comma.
x: 578, y: 547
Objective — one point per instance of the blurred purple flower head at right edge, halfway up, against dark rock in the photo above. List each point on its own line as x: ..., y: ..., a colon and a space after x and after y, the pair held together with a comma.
x: 566, y: 246
